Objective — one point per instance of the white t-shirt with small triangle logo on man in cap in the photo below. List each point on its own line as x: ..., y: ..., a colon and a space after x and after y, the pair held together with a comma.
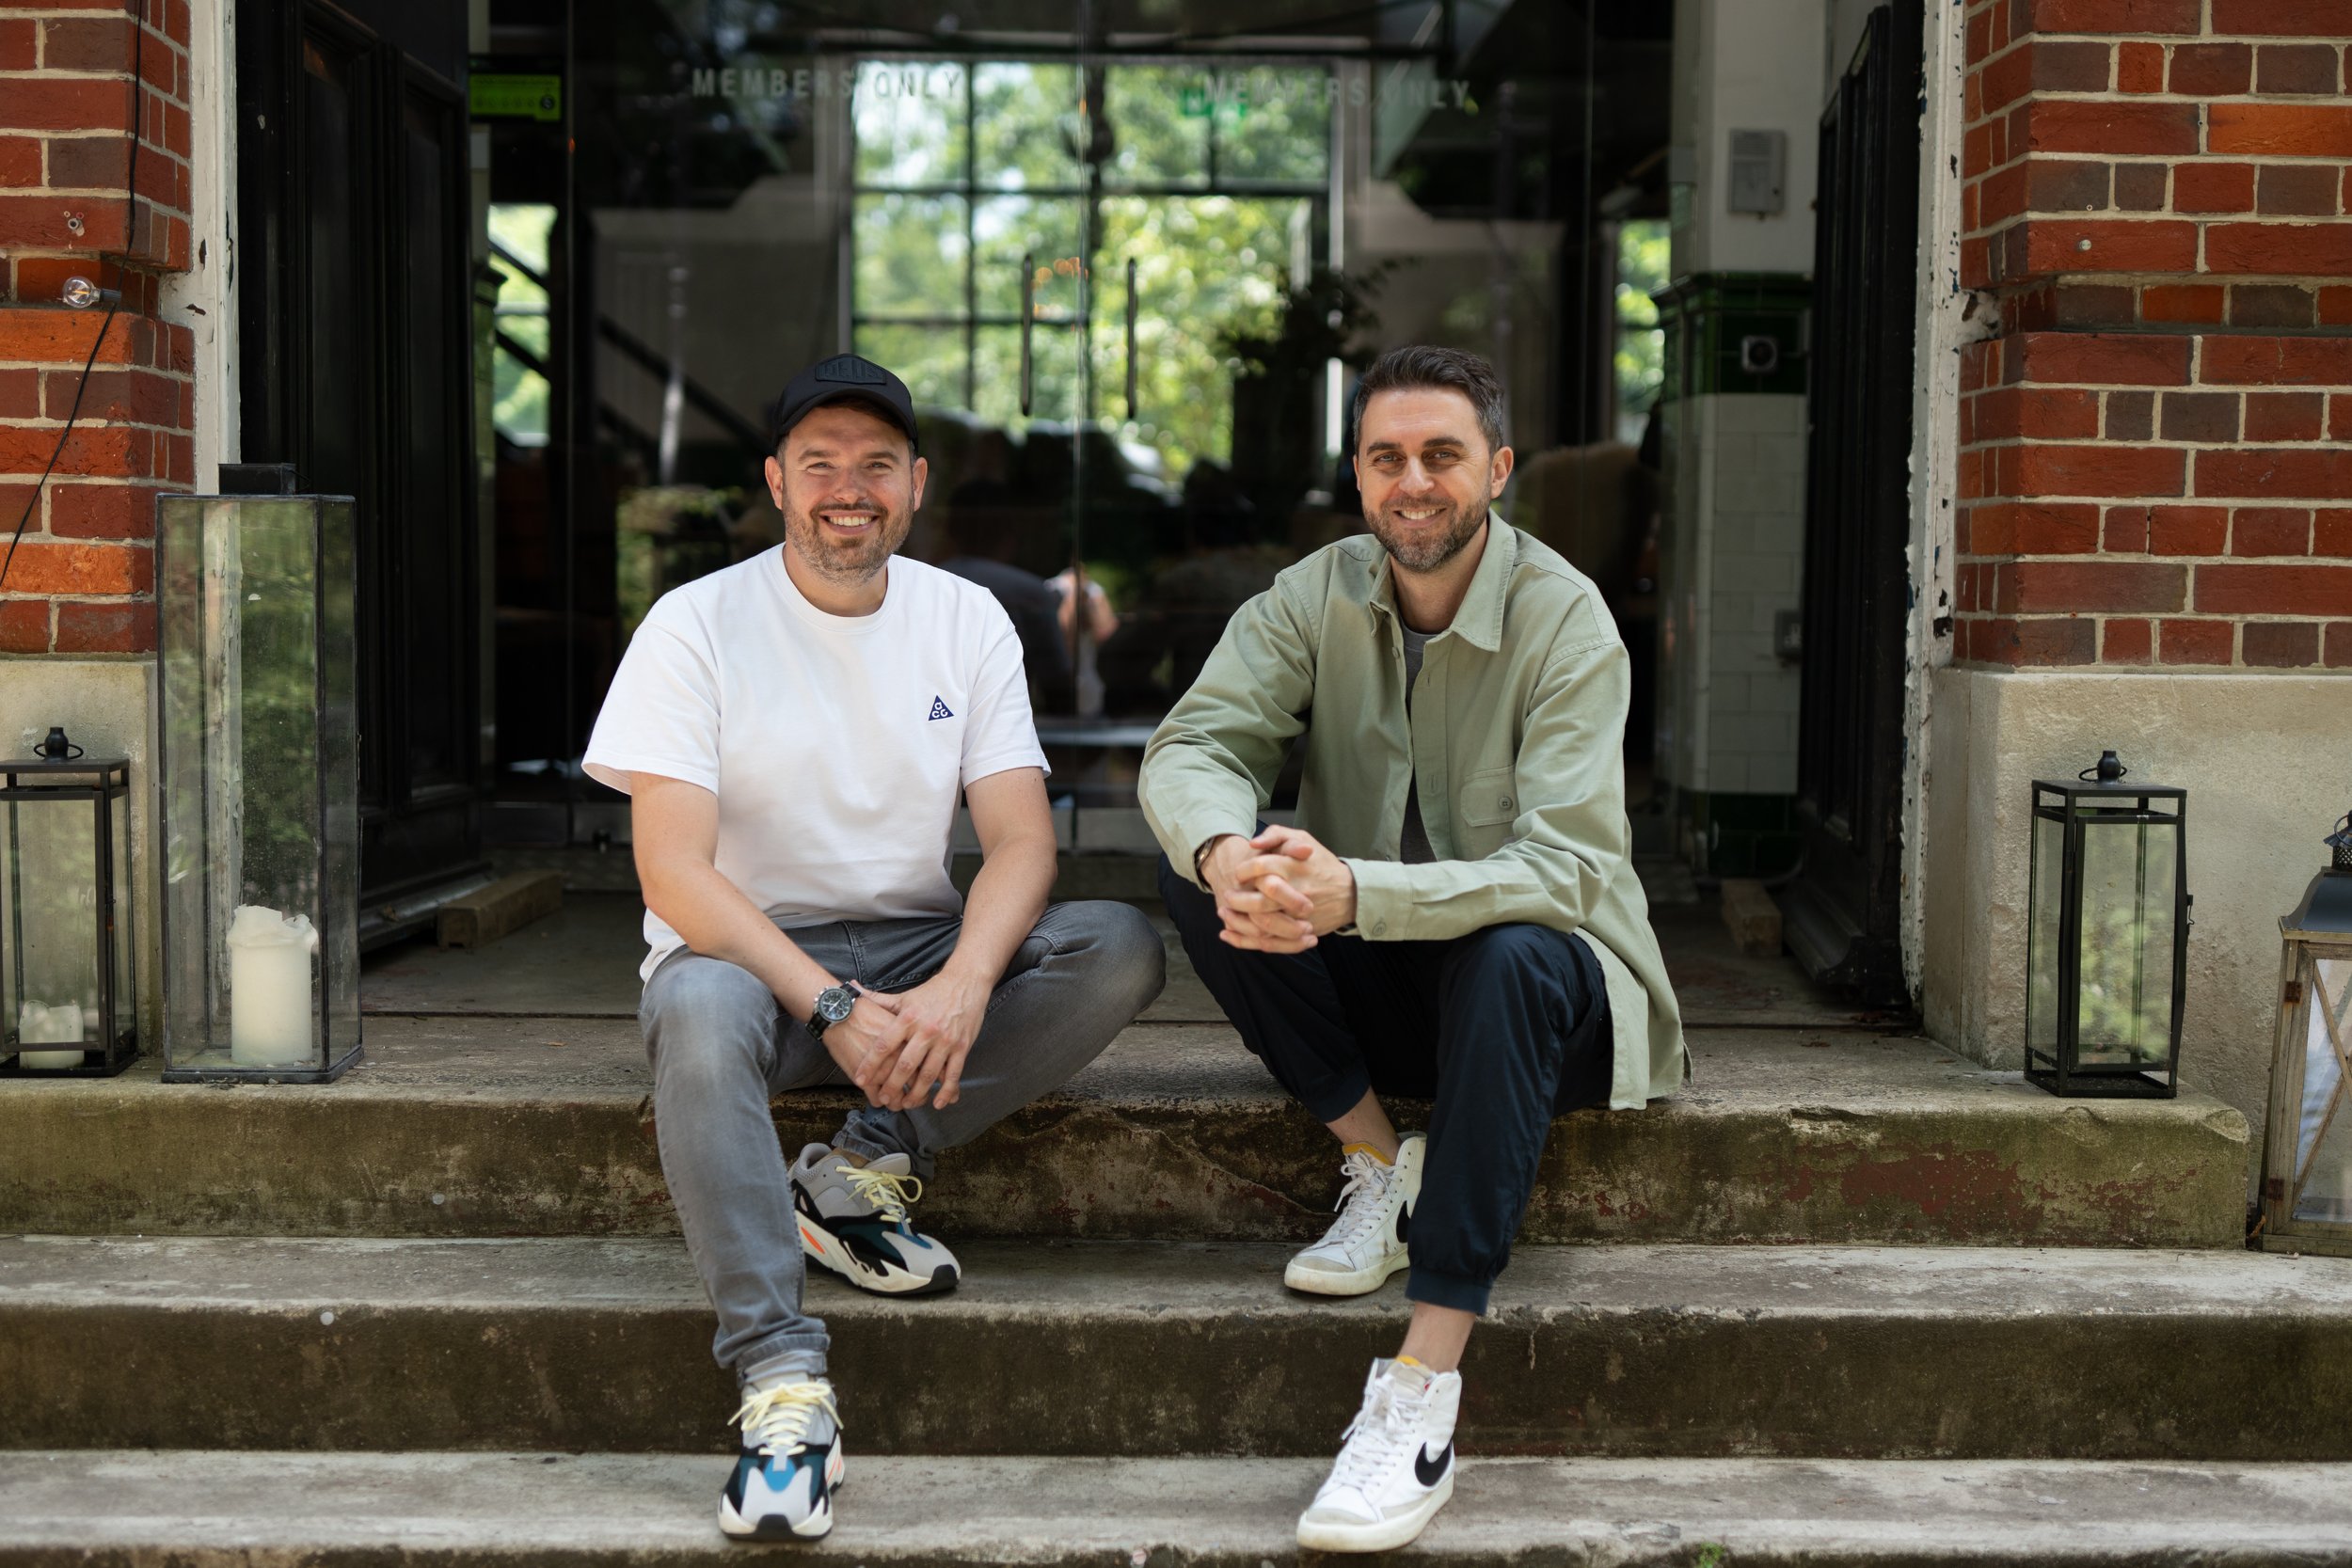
x: 836, y: 744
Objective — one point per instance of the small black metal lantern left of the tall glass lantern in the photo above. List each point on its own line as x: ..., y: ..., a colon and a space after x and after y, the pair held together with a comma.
x: 67, y: 989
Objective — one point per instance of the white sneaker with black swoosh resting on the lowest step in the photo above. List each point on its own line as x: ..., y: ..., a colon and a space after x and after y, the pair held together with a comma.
x: 1396, y: 1468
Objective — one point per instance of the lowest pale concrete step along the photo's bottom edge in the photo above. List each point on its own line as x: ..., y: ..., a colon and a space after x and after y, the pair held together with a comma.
x: 298, y: 1510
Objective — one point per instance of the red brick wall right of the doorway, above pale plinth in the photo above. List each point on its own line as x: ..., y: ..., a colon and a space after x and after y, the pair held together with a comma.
x: 2158, y: 443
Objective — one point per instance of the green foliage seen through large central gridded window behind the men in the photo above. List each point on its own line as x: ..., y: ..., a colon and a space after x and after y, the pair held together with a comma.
x: 1208, y: 267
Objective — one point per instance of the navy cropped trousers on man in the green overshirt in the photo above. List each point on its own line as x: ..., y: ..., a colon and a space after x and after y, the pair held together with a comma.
x: 1504, y: 1028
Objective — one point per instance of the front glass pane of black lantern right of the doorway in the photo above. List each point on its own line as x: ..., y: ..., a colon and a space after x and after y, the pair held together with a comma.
x: 2127, y: 946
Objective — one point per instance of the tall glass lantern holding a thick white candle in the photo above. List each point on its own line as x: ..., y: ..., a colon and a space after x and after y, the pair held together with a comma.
x: 260, y: 789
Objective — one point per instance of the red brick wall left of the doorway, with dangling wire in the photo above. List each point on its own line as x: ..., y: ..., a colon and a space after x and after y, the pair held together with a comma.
x: 83, y: 575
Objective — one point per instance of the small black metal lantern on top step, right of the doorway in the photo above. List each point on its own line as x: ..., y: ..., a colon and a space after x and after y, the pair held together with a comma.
x: 2106, y: 937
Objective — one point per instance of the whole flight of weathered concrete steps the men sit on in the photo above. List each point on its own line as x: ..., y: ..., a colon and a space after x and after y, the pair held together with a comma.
x: 1845, y: 1301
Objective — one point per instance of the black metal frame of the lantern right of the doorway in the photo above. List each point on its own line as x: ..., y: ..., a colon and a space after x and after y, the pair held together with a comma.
x: 2076, y: 808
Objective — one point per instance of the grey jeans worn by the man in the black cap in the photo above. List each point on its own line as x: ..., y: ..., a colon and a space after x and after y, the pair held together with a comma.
x: 721, y: 1047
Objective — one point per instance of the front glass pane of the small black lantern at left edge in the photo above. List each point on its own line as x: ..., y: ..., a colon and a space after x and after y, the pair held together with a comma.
x: 53, y: 927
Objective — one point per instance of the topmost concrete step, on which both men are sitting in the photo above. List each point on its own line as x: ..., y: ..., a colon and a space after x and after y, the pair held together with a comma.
x: 481, y: 1127
